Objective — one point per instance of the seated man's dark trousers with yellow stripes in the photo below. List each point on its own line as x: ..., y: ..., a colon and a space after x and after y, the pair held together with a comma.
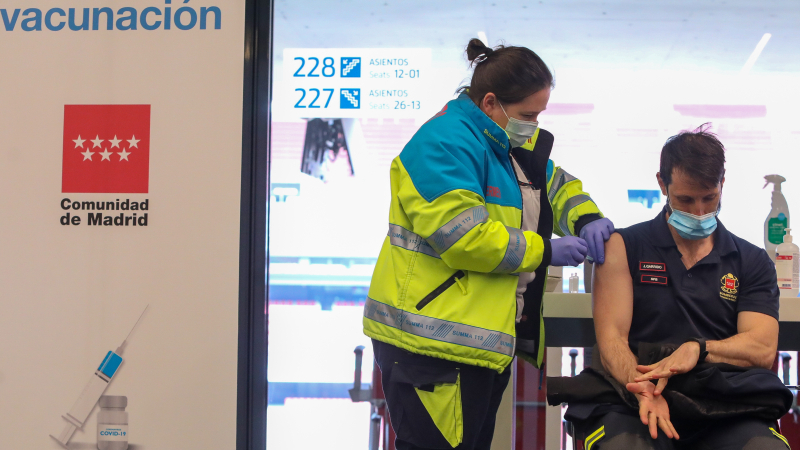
x: 620, y: 431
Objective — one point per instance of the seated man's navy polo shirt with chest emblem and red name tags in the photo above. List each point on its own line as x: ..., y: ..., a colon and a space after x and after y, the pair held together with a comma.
x: 672, y: 304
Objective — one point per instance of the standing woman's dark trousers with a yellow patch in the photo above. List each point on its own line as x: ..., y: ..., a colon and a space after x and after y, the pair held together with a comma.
x: 417, y: 385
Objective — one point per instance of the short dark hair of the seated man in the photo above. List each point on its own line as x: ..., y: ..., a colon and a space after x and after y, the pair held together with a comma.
x: 697, y: 153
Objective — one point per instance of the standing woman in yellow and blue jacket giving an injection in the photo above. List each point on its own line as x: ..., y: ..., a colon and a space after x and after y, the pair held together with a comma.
x: 457, y: 289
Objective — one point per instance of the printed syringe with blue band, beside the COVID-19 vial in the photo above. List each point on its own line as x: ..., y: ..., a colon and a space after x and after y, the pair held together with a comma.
x: 97, y: 385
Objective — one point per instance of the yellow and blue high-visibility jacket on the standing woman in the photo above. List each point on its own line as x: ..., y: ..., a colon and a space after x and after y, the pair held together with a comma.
x: 445, y: 281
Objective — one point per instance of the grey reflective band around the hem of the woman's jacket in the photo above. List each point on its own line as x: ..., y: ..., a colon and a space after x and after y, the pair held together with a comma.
x: 439, y: 330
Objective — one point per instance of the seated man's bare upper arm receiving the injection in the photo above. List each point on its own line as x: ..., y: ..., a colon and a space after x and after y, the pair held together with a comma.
x: 612, y: 293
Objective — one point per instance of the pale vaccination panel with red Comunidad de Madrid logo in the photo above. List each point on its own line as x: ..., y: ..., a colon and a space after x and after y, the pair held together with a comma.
x: 154, y: 116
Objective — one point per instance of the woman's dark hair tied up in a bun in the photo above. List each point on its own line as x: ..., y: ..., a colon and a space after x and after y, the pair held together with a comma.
x: 511, y: 73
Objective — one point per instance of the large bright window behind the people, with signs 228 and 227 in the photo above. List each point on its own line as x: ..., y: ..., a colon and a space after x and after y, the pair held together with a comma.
x: 626, y: 79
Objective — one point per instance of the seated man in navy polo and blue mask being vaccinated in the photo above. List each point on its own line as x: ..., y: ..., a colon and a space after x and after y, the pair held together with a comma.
x: 684, y: 282
